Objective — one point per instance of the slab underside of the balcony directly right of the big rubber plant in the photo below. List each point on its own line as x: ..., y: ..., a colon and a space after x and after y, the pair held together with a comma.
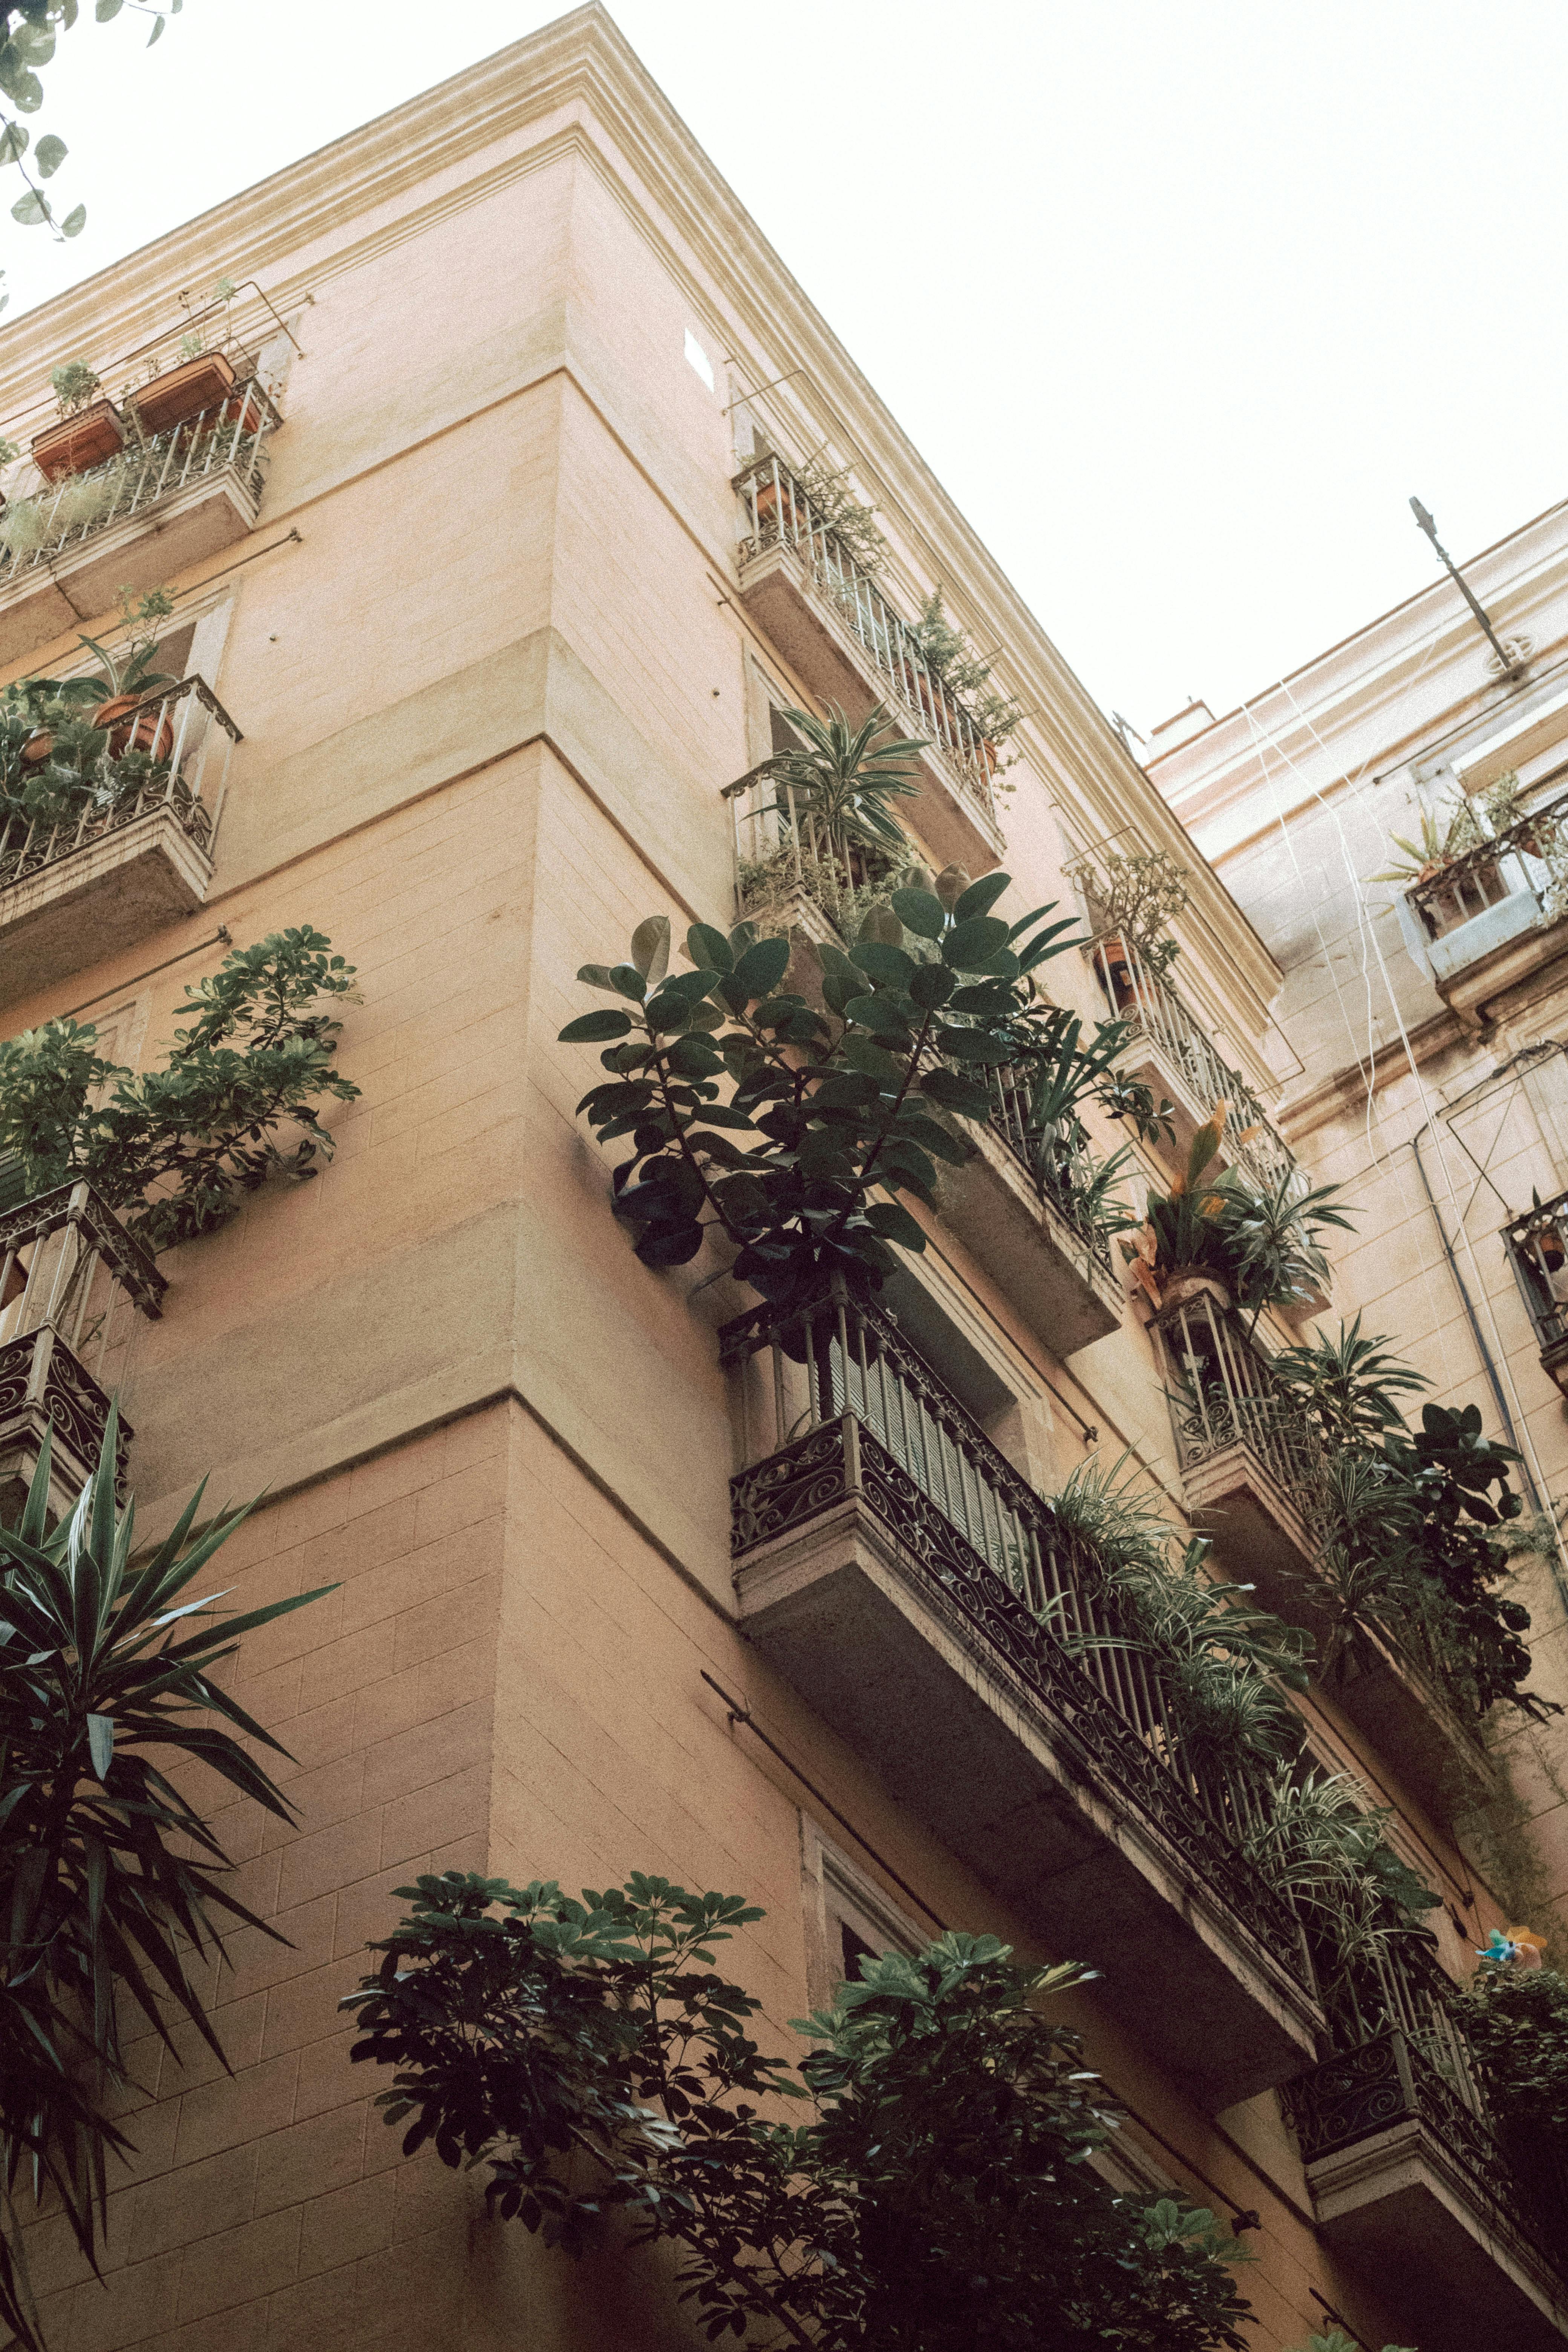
x: 1028, y: 1248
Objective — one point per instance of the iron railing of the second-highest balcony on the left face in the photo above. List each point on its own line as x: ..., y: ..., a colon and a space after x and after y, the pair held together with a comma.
x: 166, y: 754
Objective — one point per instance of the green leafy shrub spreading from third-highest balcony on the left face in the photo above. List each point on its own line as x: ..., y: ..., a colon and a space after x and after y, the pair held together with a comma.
x: 177, y: 1149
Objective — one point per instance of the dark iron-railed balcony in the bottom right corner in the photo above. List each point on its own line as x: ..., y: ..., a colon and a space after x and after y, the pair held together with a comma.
x: 1412, y: 2181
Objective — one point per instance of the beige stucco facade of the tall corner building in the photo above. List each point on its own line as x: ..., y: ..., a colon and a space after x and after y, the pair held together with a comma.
x: 492, y: 632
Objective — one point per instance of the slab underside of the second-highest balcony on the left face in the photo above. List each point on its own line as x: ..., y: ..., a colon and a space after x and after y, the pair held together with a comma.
x: 98, y: 900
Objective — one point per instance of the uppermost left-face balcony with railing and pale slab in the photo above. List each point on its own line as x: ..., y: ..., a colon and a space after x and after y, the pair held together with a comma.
x: 149, y: 512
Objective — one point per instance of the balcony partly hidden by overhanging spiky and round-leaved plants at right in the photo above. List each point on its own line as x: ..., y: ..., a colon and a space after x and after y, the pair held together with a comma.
x: 1254, y: 1485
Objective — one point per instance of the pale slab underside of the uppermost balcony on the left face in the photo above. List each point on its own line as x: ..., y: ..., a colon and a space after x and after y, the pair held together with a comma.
x: 53, y: 596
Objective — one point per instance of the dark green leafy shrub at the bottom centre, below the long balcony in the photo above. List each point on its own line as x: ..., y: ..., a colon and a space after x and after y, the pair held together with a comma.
x: 934, y: 2196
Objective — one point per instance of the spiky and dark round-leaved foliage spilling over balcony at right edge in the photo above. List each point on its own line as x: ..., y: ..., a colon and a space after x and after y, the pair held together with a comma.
x: 1409, y: 1528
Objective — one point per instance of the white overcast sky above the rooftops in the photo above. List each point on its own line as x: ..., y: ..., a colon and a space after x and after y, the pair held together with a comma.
x: 1179, y: 298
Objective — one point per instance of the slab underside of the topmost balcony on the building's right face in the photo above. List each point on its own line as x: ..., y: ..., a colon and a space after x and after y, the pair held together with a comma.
x: 836, y: 667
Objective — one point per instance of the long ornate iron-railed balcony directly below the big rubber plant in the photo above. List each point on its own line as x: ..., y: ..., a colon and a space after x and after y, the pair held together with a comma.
x: 925, y: 1603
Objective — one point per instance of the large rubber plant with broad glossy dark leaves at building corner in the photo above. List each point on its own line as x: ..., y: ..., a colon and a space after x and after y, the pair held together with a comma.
x: 770, y: 1123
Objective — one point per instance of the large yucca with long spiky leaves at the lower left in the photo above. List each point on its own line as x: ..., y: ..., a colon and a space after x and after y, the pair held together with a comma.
x: 109, y: 1878
